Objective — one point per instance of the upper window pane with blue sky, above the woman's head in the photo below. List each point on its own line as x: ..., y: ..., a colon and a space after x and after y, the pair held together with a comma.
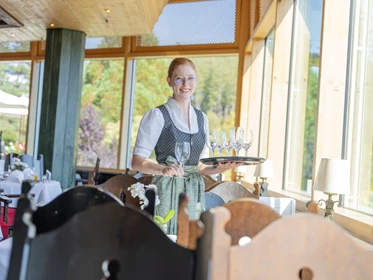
x: 207, y: 22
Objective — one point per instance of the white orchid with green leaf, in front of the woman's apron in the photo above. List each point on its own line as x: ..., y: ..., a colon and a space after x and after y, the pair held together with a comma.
x: 138, y: 190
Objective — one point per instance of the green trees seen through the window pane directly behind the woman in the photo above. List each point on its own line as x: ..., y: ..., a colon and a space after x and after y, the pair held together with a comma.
x: 215, y: 93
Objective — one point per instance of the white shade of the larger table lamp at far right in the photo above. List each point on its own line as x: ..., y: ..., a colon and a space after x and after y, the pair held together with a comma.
x: 333, y: 176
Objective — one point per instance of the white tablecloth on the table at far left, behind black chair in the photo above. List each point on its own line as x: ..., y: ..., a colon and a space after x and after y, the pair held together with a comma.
x: 44, y: 192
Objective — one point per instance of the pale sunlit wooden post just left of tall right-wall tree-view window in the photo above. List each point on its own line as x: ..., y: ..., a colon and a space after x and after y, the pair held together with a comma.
x: 280, y: 86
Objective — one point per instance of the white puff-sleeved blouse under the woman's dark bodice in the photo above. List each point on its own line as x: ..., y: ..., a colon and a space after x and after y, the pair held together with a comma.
x: 152, y: 124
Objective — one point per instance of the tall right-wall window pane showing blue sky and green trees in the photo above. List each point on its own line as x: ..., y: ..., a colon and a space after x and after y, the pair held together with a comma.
x: 303, y: 92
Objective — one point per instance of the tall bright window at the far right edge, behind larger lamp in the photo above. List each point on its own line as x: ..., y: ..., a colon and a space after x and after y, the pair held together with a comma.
x: 360, y: 114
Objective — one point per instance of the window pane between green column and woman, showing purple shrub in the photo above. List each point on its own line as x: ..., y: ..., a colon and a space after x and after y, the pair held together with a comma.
x: 101, y: 104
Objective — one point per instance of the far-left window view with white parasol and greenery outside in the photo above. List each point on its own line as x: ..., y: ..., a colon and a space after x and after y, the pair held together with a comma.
x: 14, y: 103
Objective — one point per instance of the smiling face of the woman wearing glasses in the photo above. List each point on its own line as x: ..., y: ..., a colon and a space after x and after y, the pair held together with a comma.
x: 182, y: 82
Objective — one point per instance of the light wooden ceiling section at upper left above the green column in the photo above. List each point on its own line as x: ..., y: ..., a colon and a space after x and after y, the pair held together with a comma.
x: 126, y: 17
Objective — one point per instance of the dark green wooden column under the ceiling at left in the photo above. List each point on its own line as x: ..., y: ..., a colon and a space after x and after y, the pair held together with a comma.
x: 62, y: 87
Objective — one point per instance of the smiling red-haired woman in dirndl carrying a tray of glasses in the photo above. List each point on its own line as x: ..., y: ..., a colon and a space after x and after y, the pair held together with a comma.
x: 160, y: 129
